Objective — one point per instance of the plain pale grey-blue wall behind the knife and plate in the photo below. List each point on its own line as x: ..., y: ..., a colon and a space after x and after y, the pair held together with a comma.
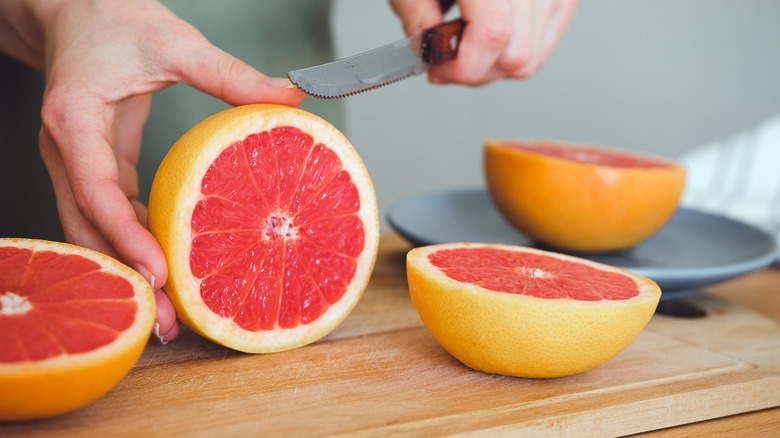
x: 657, y: 76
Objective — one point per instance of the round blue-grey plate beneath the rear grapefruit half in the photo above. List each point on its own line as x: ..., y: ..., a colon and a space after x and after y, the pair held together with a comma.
x: 694, y: 249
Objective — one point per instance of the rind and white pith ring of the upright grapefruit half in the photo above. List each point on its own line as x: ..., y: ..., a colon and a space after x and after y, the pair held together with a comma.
x: 176, y: 191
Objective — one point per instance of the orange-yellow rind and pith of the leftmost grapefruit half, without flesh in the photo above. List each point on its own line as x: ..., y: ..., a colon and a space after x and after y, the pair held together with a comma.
x: 55, y: 386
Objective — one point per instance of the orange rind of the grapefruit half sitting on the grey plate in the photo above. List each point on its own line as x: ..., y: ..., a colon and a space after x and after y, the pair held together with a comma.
x: 580, y: 206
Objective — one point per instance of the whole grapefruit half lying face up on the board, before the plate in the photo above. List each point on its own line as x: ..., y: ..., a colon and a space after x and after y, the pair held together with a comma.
x: 525, y: 312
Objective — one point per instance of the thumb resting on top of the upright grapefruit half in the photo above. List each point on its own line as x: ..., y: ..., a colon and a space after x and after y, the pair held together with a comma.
x: 205, y: 67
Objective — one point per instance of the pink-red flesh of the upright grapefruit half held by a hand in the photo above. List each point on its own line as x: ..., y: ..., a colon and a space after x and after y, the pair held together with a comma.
x: 275, y: 242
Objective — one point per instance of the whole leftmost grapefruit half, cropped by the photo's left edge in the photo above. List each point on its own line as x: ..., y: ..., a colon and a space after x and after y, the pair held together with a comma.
x: 72, y: 324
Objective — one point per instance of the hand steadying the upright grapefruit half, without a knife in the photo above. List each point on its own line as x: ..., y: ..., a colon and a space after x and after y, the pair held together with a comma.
x: 102, y: 61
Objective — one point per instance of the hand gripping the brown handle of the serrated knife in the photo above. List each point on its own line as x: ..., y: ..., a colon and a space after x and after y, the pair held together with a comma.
x: 502, y: 38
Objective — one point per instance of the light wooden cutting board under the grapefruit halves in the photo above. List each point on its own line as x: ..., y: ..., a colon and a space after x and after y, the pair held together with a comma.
x: 382, y: 374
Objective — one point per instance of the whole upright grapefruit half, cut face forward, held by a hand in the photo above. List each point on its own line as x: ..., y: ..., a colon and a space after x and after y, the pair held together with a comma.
x: 268, y: 219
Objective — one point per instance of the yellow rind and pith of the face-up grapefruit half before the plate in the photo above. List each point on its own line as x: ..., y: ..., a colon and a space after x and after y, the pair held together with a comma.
x: 524, y: 336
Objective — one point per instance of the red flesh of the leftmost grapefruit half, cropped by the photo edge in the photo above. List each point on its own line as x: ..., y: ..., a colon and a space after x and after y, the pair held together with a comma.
x: 58, y: 304
